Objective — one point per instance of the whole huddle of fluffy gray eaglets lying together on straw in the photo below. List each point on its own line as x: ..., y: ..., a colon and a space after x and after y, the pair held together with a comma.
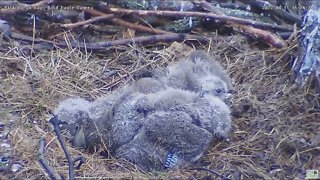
x: 163, y: 121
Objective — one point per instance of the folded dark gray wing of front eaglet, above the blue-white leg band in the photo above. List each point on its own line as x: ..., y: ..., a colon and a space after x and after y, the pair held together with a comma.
x: 164, y: 133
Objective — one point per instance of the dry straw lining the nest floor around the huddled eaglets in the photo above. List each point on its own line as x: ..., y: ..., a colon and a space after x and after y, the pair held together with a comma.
x: 274, y: 127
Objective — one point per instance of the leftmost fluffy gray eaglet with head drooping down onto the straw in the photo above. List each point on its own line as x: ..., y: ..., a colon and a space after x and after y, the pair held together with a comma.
x: 89, y: 124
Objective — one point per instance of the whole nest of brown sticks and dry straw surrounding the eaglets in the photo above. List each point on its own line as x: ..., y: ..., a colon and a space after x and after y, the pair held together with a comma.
x: 275, y: 124
